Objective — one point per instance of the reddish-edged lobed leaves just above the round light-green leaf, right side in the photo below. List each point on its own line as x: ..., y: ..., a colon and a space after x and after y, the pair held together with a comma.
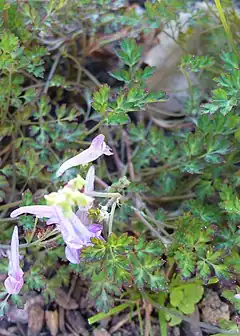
x: 194, y: 254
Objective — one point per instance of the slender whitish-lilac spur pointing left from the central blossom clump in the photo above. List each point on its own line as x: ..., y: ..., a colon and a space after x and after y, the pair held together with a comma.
x: 39, y: 211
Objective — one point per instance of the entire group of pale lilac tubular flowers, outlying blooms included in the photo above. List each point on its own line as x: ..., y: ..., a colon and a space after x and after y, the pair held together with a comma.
x: 76, y: 227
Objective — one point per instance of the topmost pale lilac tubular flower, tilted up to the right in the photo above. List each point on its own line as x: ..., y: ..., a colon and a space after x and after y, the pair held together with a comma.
x: 97, y: 148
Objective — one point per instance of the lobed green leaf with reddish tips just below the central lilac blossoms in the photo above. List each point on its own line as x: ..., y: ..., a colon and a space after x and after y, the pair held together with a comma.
x: 122, y: 261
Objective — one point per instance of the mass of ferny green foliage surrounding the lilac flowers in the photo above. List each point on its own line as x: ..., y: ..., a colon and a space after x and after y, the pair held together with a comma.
x: 184, y: 179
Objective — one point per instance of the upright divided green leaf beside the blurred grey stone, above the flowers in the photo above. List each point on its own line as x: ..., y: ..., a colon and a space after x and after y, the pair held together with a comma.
x: 134, y: 95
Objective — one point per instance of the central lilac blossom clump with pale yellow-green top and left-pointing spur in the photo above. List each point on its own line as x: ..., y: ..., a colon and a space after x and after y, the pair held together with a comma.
x: 75, y: 228
